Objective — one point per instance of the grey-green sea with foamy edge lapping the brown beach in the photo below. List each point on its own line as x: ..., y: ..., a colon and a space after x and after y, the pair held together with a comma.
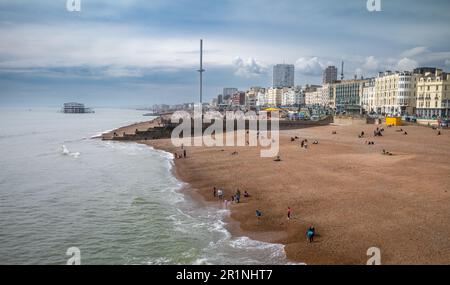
x: 117, y: 203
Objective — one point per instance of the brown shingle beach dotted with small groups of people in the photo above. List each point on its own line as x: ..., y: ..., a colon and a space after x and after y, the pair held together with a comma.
x: 355, y: 197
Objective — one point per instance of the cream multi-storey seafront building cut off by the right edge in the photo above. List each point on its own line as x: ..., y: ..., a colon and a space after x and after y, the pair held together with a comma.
x: 433, y: 95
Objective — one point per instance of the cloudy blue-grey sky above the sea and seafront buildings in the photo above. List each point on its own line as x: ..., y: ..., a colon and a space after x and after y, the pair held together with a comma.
x: 116, y: 53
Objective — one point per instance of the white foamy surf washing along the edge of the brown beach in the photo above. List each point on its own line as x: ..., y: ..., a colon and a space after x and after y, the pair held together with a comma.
x: 187, y: 220
